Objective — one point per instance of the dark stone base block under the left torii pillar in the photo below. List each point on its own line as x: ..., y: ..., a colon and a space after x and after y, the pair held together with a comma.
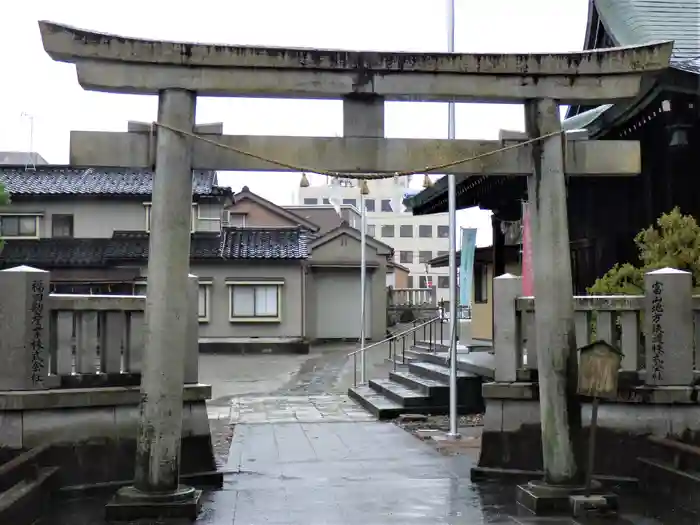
x: 131, y: 504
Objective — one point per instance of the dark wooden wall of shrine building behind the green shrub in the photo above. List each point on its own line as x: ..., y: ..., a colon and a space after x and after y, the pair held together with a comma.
x: 605, y: 214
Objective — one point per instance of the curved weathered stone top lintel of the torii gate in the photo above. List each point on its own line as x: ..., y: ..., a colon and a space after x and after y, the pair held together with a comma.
x: 134, y: 65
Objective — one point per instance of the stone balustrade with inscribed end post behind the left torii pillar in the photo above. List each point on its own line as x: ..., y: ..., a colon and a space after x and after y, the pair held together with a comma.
x: 53, y: 341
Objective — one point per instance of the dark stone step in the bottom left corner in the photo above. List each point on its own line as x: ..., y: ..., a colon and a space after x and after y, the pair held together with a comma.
x: 27, y: 500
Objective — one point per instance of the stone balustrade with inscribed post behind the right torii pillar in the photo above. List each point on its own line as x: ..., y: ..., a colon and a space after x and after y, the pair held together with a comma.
x: 658, y: 333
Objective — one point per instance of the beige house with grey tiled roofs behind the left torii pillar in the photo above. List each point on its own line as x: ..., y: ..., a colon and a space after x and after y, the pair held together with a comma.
x: 268, y: 278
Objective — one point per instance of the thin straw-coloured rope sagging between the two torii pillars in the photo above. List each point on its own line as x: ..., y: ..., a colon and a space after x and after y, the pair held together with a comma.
x: 359, y: 176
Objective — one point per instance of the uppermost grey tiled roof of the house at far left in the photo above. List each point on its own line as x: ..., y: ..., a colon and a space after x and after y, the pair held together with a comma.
x: 66, y: 180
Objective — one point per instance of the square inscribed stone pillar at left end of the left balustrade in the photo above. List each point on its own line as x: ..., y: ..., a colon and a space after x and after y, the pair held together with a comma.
x: 24, y: 328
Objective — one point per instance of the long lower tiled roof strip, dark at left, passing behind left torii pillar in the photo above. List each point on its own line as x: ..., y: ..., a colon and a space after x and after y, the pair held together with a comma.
x: 232, y: 244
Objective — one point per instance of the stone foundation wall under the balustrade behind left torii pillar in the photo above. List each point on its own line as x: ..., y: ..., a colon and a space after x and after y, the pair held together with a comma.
x: 92, y: 432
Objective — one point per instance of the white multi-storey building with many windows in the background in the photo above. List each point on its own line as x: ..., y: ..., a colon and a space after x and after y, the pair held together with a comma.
x: 415, y: 240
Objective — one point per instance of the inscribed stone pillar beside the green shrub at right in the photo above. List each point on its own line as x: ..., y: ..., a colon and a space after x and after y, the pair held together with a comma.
x: 668, y: 320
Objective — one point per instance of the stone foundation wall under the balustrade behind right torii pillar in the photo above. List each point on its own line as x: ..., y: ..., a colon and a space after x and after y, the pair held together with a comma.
x: 512, y: 440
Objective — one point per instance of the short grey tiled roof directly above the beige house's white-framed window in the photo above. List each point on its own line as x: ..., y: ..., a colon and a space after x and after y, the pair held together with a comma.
x: 256, y: 243
